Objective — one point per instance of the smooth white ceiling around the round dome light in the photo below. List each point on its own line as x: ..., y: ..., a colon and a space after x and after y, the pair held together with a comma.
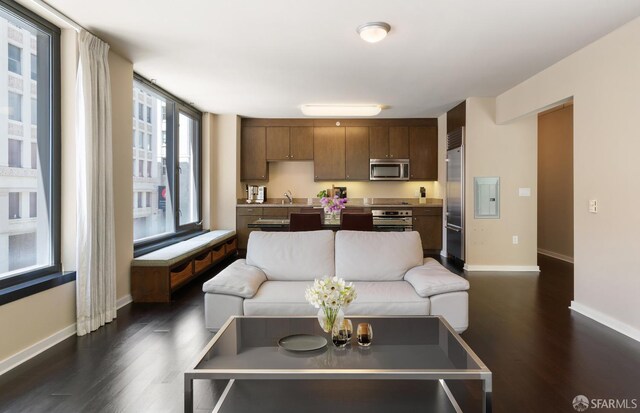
x: 264, y: 58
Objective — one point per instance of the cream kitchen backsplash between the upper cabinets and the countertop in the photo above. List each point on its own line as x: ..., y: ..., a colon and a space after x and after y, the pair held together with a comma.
x: 298, y: 177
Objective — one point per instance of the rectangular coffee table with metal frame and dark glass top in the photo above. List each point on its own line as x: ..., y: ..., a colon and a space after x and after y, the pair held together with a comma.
x: 407, y: 365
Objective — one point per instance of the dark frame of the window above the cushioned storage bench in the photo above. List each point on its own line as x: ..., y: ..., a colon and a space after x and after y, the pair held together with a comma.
x: 174, y: 106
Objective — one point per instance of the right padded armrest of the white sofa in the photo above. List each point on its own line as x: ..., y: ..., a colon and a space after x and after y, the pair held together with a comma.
x: 432, y: 279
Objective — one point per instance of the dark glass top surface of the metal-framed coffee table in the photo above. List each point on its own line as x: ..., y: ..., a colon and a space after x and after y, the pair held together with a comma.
x: 403, y: 347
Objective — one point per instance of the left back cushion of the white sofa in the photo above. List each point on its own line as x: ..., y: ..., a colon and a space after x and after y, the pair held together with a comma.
x: 292, y: 256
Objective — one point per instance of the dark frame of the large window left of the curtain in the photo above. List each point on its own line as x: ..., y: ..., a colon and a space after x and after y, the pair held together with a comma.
x: 27, y: 283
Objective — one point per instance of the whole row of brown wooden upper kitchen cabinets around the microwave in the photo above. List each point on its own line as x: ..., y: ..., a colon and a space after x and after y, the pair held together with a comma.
x: 339, y: 148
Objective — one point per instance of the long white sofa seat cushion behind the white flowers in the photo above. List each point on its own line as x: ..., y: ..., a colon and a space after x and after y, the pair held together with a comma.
x: 286, y: 298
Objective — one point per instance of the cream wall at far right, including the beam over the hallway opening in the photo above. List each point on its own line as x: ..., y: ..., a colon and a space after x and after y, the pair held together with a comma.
x: 604, y: 80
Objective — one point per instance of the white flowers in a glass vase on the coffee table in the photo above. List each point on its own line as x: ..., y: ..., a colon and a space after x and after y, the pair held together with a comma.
x: 330, y: 295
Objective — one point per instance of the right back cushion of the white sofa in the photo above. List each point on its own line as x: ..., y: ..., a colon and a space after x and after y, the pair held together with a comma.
x: 376, y: 256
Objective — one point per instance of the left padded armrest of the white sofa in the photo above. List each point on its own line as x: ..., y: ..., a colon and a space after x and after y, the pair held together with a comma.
x: 237, y: 279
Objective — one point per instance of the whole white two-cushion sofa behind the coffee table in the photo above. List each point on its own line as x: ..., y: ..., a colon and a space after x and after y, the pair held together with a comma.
x: 390, y: 275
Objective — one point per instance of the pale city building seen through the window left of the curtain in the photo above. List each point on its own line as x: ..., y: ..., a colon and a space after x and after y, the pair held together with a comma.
x: 24, y: 225
